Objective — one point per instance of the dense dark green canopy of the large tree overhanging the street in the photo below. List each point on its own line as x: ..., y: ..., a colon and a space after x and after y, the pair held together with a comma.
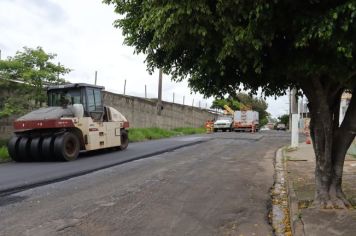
x: 220, y: 44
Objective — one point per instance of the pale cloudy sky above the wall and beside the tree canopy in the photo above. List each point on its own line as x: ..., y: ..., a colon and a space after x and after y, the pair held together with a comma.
x: 82, y: 35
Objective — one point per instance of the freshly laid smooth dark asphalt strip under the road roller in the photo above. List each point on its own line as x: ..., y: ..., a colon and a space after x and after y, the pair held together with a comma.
x: 18, y: 176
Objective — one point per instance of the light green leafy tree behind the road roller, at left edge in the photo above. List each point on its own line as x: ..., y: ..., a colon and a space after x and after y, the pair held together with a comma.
x: 27, y: 73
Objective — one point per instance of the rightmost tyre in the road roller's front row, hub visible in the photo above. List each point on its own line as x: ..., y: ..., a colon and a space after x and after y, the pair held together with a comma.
x: 66, y: 147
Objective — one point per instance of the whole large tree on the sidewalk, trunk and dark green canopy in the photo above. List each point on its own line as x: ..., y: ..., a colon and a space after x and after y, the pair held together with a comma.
x: 219, y: 45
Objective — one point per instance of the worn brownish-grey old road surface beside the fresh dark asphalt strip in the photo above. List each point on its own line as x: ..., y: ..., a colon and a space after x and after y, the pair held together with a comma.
x: 217, y: 187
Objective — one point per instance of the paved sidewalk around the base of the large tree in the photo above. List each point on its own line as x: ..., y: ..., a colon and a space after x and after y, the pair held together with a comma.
x: 300, y: 166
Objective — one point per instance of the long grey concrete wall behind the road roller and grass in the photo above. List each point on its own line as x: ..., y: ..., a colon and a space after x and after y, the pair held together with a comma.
x: 141, y: 113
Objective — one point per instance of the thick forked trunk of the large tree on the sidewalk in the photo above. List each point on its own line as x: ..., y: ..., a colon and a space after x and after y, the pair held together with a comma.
x: 330, y: 141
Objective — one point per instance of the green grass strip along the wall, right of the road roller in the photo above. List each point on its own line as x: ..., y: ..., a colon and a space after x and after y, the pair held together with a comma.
x: 141, y: 134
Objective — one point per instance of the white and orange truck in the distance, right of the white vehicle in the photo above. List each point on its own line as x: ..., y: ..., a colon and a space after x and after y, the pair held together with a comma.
x: 246, y: 121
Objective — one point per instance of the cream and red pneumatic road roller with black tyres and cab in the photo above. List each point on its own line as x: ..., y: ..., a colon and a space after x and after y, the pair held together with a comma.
x: 75, y: 120
